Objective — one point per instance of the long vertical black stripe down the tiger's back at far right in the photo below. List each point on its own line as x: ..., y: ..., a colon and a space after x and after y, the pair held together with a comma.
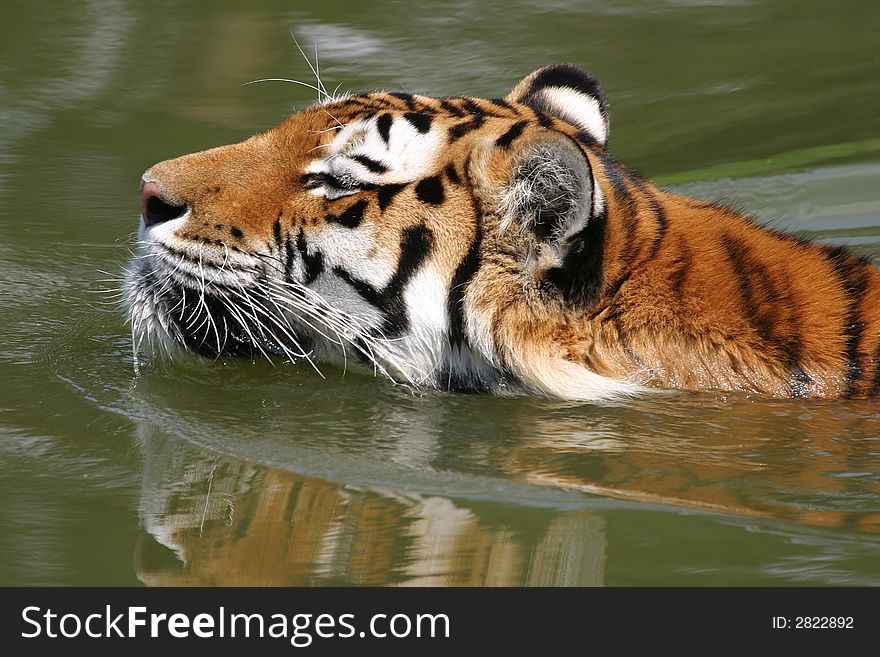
x: 853, y: 275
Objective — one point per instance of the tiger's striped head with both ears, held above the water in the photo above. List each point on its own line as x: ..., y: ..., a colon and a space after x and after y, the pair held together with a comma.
x: 429, y: 238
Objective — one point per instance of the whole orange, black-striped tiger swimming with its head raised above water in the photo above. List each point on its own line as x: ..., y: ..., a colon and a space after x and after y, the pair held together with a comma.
x: 471, y: 244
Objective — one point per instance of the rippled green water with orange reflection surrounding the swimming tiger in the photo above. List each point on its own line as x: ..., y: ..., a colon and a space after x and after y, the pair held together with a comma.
x: 241, y: 473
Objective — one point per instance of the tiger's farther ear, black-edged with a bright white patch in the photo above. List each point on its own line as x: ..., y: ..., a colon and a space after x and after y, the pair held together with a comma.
x: 569, y: 93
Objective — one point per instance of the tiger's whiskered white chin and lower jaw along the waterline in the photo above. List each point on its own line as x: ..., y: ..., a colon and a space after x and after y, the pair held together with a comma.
x: 172, y: 321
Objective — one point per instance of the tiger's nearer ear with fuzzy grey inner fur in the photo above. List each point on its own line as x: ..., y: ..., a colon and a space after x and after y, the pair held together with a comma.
x: 541, y: 190
